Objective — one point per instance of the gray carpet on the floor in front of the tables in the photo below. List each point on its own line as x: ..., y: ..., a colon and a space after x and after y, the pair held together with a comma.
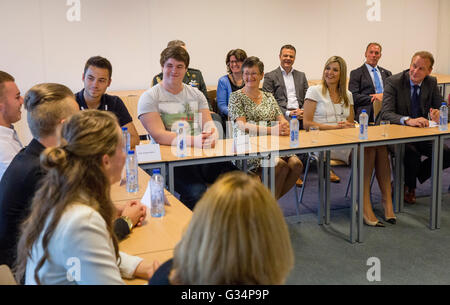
x: 409, y: 252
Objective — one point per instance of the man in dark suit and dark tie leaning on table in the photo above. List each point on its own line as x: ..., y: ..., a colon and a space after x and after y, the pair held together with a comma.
x: 412, y: 98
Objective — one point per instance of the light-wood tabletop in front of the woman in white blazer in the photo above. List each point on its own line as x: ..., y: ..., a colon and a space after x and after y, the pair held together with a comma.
x: 157, y: 237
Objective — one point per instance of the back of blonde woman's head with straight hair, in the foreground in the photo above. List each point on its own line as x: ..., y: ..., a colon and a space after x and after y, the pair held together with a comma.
x: 237, y: 236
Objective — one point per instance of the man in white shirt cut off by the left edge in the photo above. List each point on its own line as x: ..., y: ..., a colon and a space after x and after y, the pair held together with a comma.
x: 10, y: 104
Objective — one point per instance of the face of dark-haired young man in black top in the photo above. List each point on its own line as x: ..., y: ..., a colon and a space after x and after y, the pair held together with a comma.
x: 96, y: 81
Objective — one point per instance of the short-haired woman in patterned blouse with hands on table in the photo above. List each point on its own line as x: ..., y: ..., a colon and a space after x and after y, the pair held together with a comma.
x: 250, y: 105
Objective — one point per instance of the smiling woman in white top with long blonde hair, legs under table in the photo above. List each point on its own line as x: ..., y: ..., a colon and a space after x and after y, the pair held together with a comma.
x: 330, y: 106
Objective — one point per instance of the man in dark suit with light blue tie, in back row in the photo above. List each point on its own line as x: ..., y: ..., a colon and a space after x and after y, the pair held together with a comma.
x: 367, y: 82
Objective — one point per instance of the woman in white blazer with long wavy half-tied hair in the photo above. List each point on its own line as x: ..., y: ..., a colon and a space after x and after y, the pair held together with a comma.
x: 71, y: 223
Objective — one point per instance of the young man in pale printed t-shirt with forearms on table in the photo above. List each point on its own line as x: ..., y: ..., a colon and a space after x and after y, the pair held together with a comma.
x: 171, y: 101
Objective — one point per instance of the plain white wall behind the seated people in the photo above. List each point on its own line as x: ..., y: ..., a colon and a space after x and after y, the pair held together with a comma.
x: 41, y: 45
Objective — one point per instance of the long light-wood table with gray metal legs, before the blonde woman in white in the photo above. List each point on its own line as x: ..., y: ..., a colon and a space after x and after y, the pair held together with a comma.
x: 269, y: 147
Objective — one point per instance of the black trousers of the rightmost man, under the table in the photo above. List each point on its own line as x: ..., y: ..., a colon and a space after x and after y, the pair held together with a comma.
x: 415, y: 168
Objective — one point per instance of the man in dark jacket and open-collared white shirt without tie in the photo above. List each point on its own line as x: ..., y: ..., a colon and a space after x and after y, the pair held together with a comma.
x: 287, y: 85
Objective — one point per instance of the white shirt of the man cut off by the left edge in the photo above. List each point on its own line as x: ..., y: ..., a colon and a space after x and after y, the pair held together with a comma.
x: 9, y: 146
